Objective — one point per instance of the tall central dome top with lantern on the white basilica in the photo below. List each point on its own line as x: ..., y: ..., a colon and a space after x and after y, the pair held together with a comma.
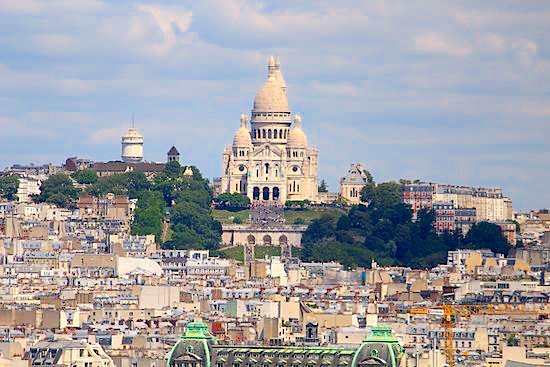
x: 272, y: 96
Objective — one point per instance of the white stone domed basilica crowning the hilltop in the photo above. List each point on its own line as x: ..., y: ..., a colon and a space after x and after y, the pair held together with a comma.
x: 271, y: 160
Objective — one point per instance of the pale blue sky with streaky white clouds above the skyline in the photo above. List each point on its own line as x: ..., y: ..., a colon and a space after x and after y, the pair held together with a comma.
x: 443, y: 91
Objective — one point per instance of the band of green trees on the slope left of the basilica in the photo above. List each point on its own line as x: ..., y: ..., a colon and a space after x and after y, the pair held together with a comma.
x: 186, y: 198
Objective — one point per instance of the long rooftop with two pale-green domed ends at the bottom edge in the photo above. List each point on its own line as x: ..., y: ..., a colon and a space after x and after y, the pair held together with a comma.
x: 198, y: 348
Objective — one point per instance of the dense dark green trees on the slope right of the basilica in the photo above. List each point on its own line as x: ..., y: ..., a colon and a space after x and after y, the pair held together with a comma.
x: 383, y: 230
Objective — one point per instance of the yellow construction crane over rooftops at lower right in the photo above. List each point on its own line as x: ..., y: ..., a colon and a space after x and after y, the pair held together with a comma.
x: 450, y: 311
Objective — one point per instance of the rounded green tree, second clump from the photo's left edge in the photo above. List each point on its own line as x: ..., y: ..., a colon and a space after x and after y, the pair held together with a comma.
x: 58, y: 189
